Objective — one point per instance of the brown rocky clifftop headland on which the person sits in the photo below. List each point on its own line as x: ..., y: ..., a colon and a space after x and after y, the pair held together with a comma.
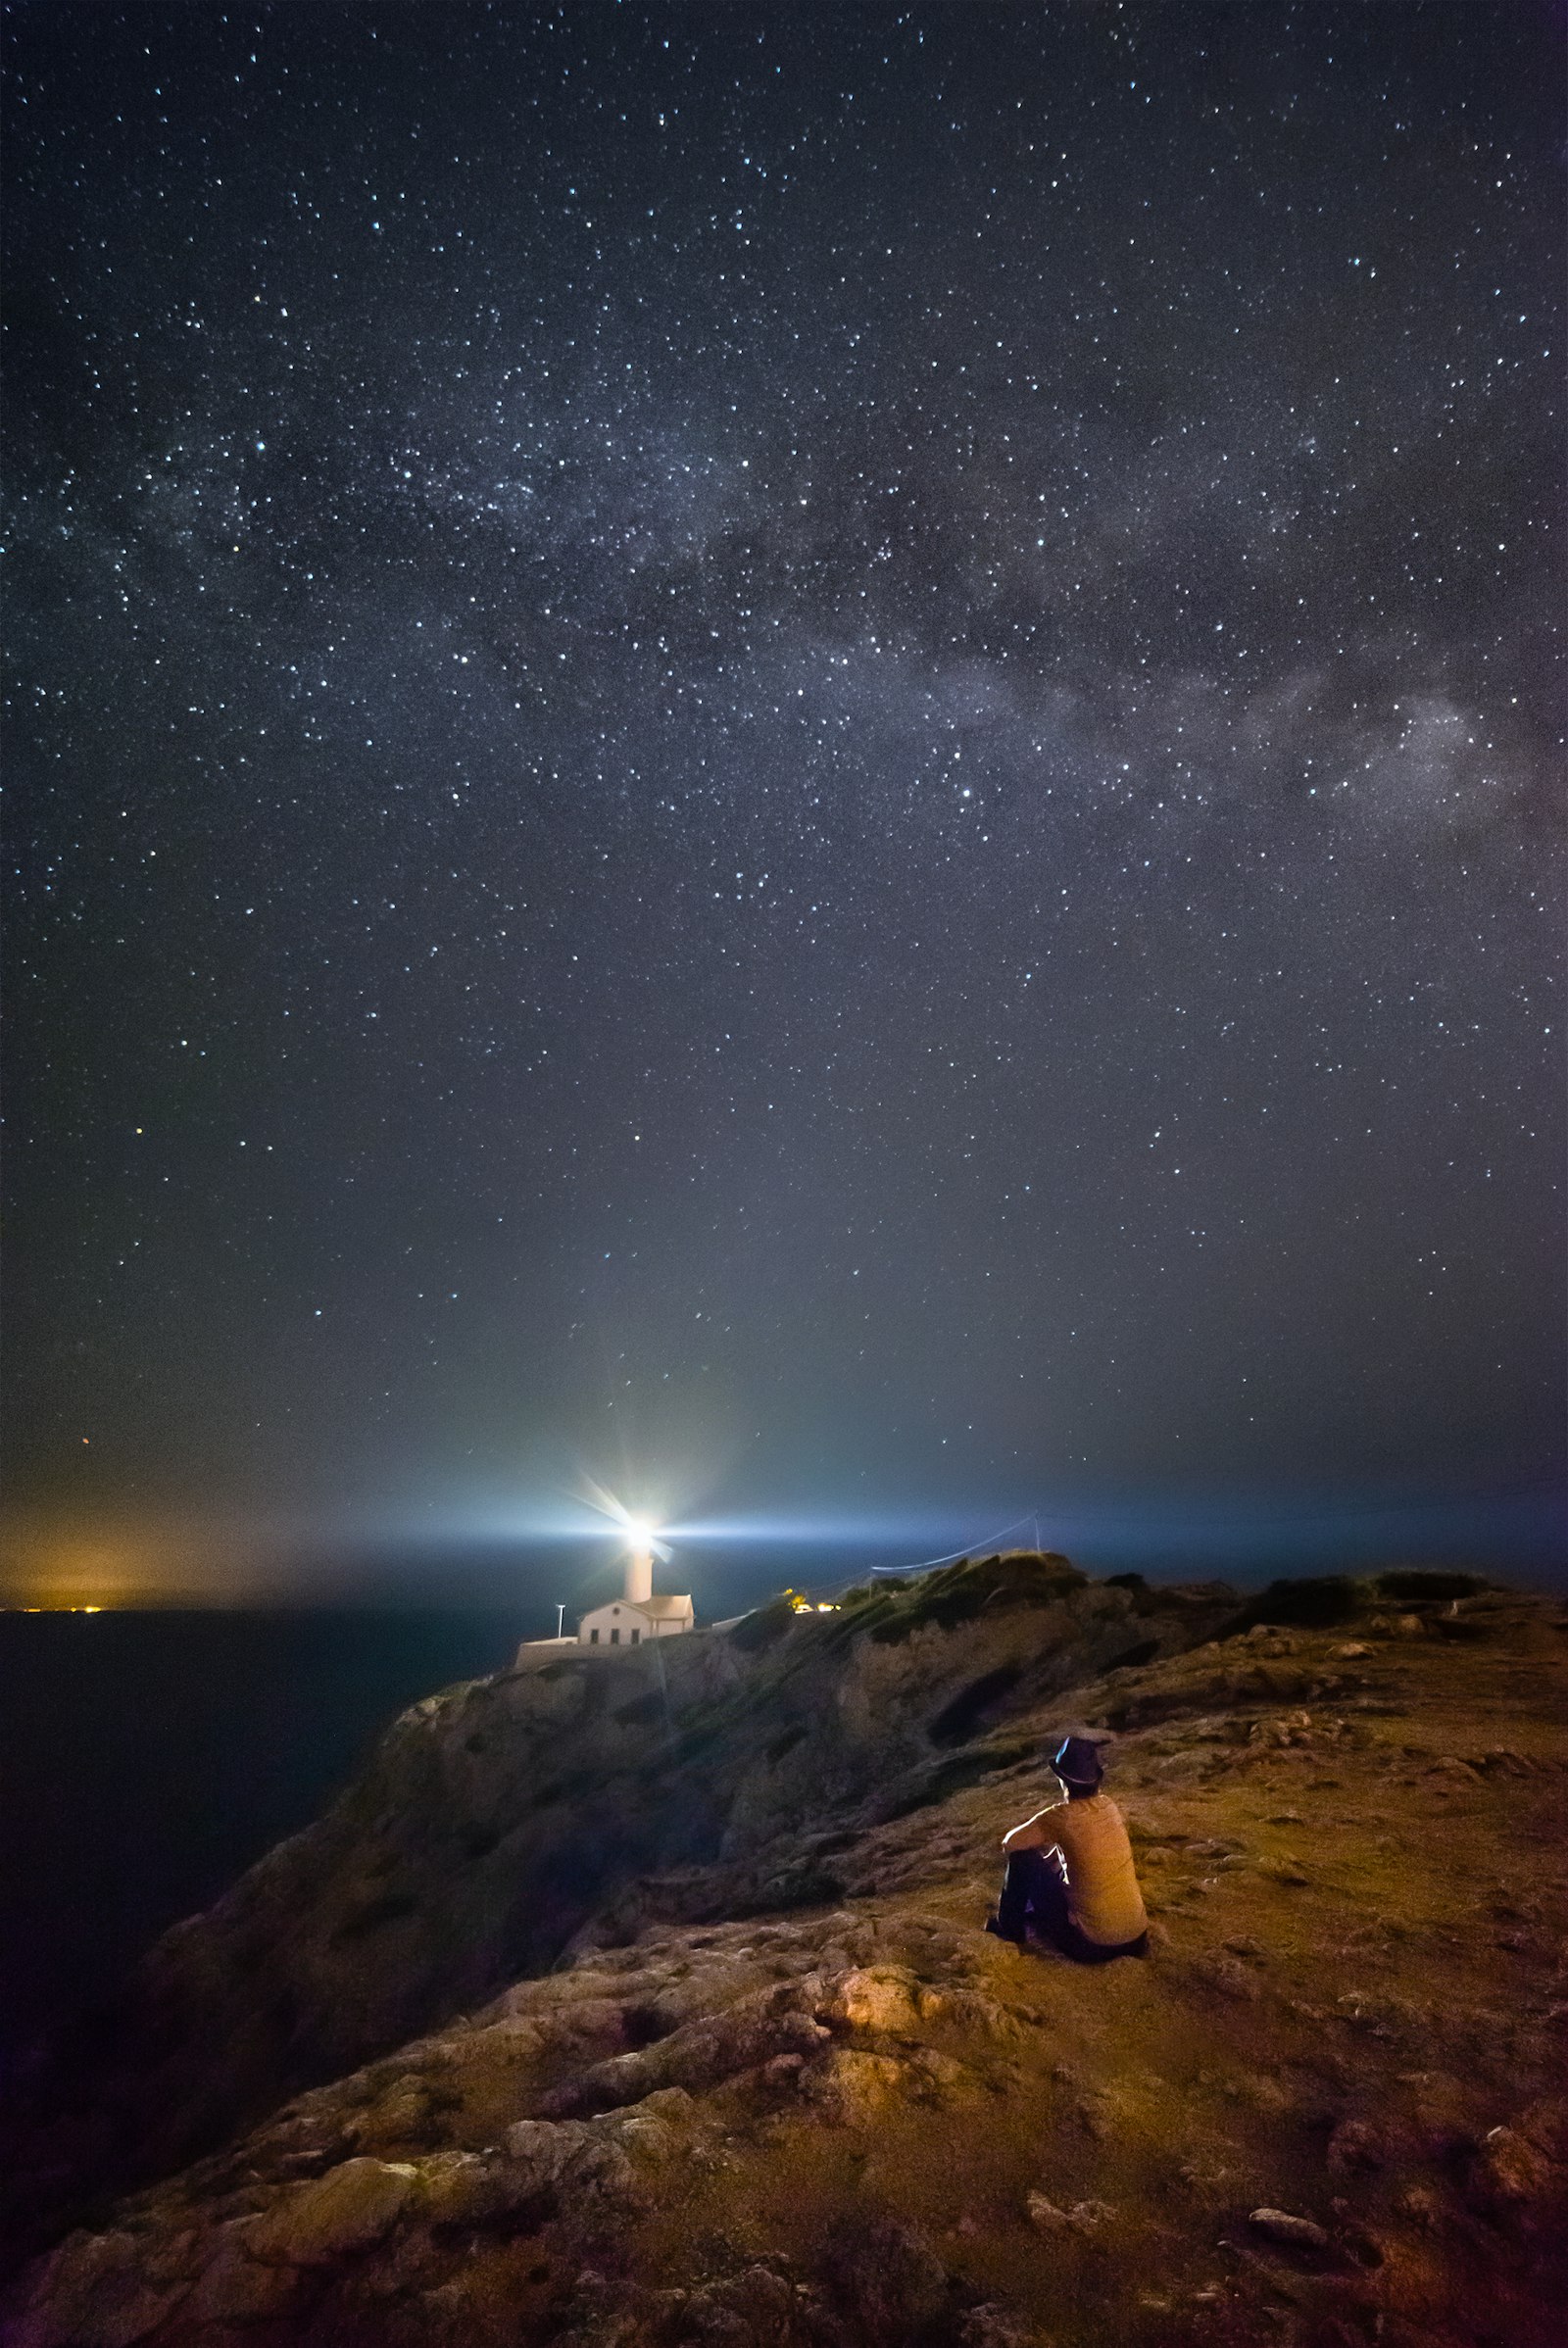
x: 785, y: 2091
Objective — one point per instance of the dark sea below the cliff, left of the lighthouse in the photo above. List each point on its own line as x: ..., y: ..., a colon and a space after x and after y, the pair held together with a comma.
x: 151, y: 1755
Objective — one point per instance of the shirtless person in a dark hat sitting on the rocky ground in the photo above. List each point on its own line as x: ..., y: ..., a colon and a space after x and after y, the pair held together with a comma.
x: 1069, y: 1875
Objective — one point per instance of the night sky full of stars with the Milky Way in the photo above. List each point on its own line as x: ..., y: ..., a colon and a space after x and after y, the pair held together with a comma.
x: 809, y: 757
